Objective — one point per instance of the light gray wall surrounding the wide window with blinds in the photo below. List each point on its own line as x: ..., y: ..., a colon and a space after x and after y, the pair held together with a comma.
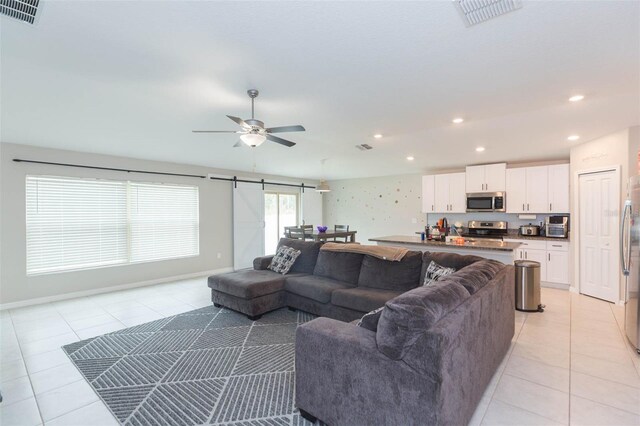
x: 215, y: 223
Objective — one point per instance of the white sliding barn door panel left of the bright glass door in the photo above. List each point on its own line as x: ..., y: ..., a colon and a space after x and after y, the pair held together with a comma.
x: 248, y: 224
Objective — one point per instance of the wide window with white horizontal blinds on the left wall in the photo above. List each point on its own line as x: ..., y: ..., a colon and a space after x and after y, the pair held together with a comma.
x: 82, y: 223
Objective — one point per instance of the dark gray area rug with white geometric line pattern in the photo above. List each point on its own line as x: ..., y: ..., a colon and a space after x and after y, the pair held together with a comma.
x: 208, y: 366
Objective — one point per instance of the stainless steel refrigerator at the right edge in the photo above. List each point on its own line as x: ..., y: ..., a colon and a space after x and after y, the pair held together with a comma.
x: 630, y: 255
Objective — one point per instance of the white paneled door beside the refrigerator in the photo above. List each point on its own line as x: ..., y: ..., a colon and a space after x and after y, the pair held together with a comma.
x: 598, y: 216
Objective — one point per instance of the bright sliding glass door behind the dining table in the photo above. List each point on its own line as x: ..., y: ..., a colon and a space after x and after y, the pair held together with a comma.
x: 280, y: 210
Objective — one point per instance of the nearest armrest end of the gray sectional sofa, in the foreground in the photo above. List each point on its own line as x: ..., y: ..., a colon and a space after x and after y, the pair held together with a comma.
x: 342, y: 378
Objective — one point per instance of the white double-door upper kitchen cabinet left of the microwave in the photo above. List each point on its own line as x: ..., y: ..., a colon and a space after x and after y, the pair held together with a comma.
x: 448, y: 194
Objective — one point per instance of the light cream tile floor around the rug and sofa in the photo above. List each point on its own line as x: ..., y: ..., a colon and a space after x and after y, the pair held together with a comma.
x: 568, y: 365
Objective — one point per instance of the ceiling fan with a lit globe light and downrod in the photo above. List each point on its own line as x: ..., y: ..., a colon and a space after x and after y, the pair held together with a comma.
x: 253, y: 132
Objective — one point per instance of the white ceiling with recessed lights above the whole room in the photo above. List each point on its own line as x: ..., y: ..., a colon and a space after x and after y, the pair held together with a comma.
x: 133, y: 78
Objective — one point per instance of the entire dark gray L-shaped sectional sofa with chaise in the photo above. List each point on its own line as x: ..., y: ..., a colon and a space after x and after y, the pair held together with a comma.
x: 426, y: 361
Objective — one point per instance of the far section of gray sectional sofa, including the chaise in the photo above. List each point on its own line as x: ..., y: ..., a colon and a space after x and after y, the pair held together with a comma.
x: 343, y: 286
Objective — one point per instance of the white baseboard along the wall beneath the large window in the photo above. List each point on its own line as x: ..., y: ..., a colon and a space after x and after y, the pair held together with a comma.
x: 84, y: 293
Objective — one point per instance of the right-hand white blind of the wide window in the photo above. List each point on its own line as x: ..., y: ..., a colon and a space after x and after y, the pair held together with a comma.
x: 164, y: 222
